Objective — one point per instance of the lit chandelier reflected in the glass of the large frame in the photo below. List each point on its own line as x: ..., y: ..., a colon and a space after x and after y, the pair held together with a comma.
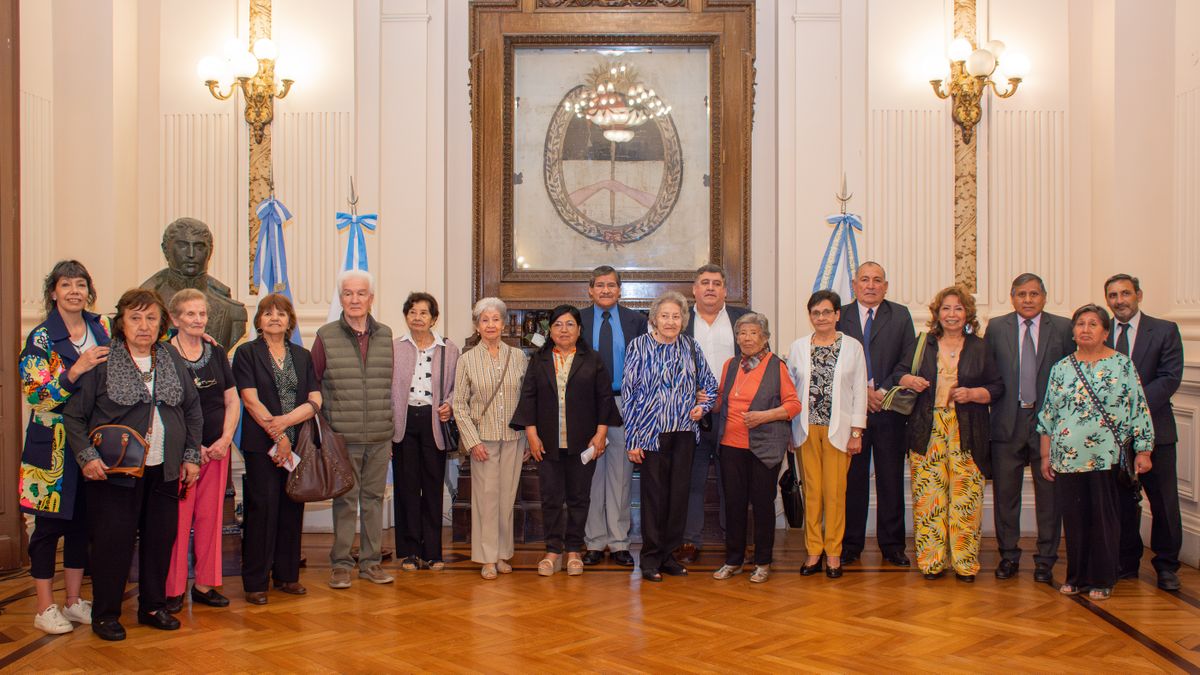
x: 616, y: 101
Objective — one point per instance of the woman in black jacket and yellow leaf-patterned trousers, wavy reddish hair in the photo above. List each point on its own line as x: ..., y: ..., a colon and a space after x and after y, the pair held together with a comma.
x: 949, y: 435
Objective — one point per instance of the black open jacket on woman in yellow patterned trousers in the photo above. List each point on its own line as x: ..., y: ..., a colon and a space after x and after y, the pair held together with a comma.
x: 976, y: 369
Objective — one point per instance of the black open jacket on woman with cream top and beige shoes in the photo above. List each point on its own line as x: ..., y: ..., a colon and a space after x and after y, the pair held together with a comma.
x: 590, y: 401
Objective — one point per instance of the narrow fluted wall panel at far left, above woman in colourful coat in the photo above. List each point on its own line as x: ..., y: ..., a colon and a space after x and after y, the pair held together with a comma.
x: 37, y: 200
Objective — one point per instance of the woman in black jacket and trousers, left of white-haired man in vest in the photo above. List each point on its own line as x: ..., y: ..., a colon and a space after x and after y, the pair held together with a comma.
x: 280, y: 392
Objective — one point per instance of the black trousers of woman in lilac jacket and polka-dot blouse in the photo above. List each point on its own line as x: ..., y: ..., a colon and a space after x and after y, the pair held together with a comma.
x: 418, y: 469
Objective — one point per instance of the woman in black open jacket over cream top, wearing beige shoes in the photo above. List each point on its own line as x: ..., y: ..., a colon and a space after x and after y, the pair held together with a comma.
x: 567, y: 407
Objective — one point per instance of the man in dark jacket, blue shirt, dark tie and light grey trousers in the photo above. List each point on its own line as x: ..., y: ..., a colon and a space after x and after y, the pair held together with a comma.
x: 609, y: 328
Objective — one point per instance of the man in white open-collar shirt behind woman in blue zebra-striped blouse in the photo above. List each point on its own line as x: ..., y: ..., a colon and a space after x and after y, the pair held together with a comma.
x: 712, y: 326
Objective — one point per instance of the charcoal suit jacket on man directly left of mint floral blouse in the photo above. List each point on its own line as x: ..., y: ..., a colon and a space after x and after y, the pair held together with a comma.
x: 1004, y: 337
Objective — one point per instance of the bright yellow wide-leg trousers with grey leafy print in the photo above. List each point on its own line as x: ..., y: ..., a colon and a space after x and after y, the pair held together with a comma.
x: 947, y: 501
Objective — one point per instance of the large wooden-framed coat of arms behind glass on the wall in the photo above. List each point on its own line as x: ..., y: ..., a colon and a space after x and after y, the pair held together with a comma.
x: 610, y: 133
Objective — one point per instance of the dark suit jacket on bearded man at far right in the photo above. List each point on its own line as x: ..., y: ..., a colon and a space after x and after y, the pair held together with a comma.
x: 1159, y: 357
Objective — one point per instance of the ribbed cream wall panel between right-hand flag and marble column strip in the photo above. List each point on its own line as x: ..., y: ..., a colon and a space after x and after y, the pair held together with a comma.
x: 910, y: 201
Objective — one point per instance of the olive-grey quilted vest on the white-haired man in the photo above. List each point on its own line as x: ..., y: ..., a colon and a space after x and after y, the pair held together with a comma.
x: 358, y: 396
